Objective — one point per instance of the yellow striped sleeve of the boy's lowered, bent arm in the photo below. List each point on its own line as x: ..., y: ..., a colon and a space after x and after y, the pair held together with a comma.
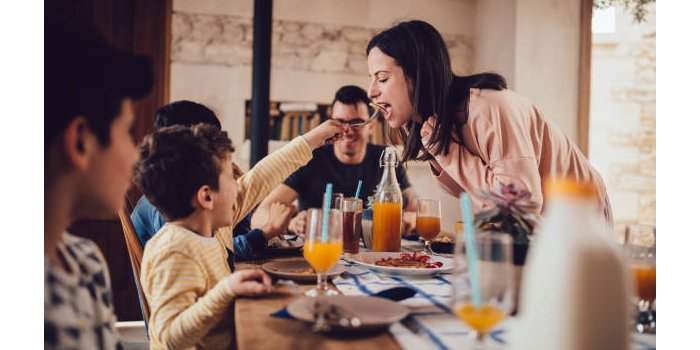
x: 172, y: 285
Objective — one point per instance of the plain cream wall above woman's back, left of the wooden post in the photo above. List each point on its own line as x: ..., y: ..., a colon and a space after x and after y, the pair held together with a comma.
x: 535, y: 45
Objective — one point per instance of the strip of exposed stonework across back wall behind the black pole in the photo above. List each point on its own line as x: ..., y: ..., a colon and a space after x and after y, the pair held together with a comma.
x: 300, y: 46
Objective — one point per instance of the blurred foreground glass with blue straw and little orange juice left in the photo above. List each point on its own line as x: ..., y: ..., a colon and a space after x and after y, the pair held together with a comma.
x: 484, y: 307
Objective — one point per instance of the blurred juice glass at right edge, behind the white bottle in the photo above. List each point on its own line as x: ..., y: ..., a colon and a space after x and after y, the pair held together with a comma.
x: 640, y: 248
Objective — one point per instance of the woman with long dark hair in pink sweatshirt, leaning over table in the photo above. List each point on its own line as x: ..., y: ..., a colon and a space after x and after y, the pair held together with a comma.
x: 475, y: 133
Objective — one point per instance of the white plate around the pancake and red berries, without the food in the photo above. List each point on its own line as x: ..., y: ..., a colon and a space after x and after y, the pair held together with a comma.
x: 367, y: 259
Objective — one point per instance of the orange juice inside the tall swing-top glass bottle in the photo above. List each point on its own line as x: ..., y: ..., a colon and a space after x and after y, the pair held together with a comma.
x: 386, y: 227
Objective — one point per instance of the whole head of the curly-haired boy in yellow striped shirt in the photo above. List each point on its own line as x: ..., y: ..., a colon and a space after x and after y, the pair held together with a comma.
x: 187, y: 170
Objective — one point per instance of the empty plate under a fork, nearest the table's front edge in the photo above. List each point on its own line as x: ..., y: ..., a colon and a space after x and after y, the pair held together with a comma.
x: 373, y: 312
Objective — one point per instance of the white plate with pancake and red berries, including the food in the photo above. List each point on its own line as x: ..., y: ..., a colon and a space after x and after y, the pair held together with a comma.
x: 396, y: 263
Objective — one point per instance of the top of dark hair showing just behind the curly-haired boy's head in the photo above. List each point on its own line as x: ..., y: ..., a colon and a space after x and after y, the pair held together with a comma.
x: 186, y: 113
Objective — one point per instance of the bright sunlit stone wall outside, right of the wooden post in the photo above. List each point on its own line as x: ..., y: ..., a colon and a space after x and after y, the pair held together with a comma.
x: 623, y: 117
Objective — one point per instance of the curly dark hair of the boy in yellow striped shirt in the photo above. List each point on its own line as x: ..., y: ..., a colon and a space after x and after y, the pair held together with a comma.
x: 176, y: 161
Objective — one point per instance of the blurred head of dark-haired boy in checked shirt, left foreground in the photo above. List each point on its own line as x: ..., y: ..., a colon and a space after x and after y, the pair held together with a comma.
x: 88, y: 92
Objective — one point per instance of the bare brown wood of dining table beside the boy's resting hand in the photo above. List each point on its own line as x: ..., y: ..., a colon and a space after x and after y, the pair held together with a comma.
x: 255, y: 328
